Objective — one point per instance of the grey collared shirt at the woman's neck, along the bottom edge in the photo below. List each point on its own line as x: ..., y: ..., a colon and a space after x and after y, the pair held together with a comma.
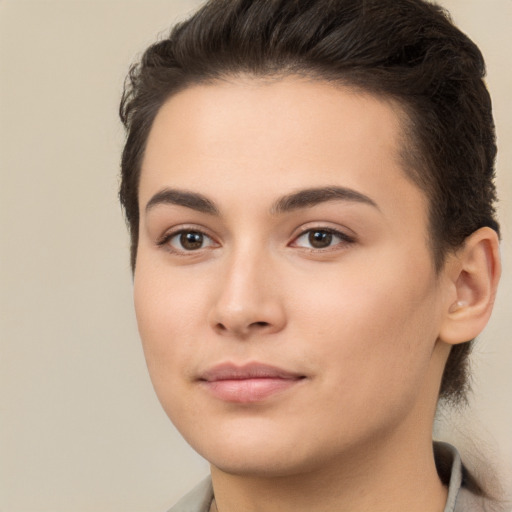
x: 449, y: 466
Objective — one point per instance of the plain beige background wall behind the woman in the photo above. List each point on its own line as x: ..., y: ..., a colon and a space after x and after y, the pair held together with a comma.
x: 80, y: 428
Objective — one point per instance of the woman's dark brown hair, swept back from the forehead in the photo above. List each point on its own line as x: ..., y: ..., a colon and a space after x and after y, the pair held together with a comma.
x: 404, y: 50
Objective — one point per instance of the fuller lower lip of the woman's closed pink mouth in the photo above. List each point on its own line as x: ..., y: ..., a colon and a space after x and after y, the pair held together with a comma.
x: 249, y: 390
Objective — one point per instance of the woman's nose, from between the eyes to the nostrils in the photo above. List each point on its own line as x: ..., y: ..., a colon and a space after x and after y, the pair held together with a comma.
x: 248, y: 300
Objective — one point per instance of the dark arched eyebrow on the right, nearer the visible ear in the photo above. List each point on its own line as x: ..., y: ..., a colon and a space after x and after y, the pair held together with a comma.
x: 310, y: 197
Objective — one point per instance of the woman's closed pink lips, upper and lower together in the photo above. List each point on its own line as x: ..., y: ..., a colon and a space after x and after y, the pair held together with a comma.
x: 248, y: 383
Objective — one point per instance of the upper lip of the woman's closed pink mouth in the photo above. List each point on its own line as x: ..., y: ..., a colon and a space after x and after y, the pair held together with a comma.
x: 231, y: 371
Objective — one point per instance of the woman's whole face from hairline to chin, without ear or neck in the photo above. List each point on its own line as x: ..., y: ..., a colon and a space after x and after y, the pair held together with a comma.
x: 284, y: 288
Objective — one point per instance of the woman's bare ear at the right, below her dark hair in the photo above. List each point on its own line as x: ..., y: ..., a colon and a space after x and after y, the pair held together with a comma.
x: 473, y: 273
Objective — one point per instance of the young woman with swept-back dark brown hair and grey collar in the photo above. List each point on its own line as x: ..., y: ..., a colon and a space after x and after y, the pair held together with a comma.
x: 309, y: 190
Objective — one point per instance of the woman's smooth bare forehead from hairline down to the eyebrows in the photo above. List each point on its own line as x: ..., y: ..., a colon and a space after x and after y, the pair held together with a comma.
x: 246, y: 134
